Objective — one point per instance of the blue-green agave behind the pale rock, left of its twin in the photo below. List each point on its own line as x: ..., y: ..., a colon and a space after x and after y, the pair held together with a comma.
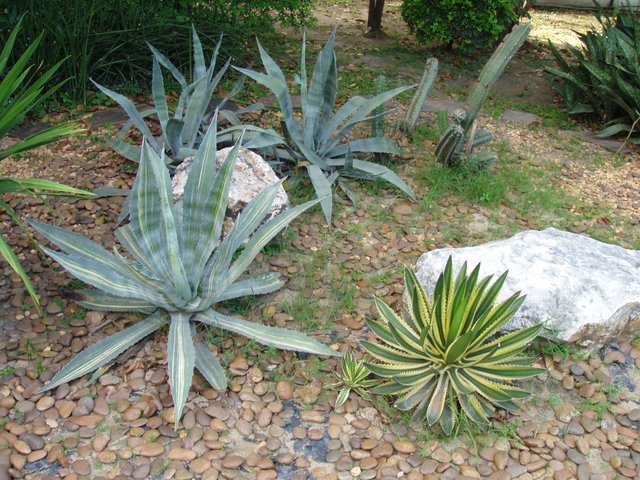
x: 184, y: 129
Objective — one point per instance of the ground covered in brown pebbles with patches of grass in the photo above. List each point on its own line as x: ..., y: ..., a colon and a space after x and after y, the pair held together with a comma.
x: 277, y: 419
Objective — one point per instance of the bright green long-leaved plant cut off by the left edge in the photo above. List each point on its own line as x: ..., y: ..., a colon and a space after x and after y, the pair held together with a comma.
x: 21, y: 91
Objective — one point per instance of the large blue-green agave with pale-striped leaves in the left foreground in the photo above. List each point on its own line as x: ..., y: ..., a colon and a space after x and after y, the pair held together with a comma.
x: 180, y: 269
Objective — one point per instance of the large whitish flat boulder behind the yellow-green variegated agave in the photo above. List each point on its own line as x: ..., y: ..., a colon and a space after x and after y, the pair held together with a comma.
x: 583, y: 290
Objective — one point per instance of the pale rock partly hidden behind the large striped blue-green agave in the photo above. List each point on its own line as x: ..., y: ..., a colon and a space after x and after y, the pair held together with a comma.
x: 251, y: 174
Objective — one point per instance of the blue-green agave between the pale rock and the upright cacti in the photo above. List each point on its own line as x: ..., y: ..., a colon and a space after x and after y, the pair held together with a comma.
x: 318, y: 142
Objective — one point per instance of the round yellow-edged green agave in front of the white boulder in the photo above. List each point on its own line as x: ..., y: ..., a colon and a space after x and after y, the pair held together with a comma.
x: 439, y: 356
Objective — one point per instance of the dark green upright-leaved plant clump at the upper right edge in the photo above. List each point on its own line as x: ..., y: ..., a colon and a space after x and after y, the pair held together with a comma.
x: 601, y: 78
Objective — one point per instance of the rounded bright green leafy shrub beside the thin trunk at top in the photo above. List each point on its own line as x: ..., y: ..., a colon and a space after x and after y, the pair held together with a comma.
x: 461, y: 24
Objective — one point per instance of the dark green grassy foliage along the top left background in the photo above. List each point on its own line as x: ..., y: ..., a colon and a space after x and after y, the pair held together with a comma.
x: 107, y: 40
